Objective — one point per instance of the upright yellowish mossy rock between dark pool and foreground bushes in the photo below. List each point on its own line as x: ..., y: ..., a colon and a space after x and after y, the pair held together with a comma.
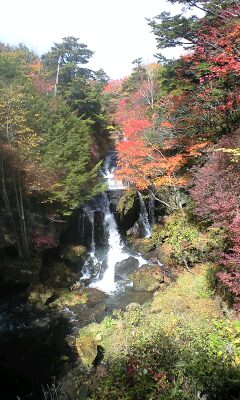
x: 87, y: 349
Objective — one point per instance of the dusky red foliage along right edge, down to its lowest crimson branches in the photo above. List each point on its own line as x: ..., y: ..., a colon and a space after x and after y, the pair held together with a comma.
x: 217, y: 194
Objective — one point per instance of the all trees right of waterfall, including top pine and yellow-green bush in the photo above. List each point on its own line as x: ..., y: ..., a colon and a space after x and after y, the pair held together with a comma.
x: 181, y: 134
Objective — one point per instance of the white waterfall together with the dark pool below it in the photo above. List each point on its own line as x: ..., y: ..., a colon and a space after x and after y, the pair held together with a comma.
x: 37, y: 343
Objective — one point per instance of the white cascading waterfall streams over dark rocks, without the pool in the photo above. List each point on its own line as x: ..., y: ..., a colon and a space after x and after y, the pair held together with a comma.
x: 116, y: 250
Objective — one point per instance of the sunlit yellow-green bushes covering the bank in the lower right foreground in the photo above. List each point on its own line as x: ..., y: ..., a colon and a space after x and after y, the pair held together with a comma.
x: 177, y: 348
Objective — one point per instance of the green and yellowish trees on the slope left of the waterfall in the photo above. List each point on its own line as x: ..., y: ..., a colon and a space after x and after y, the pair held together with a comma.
x: 52, y: 136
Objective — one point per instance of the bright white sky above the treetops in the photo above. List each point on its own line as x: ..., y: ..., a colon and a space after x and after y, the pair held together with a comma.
x: 116, y: 30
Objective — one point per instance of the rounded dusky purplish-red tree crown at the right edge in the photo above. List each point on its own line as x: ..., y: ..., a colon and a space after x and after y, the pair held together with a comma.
x: 216, y: 186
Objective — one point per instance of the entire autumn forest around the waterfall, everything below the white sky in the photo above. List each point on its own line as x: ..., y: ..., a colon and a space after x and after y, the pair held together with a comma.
x: 174, y: 128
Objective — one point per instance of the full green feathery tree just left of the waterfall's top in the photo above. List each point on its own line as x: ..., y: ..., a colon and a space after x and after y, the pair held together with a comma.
x: 66, y: 150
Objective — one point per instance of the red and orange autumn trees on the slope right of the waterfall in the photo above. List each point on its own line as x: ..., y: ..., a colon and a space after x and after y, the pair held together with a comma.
x: 178, y: 140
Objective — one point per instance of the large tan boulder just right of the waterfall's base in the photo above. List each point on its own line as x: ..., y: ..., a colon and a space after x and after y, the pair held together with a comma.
x: 148, y: 278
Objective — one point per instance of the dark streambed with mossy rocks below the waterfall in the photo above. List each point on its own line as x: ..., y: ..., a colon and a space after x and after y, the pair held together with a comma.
x: 39, y: 326
